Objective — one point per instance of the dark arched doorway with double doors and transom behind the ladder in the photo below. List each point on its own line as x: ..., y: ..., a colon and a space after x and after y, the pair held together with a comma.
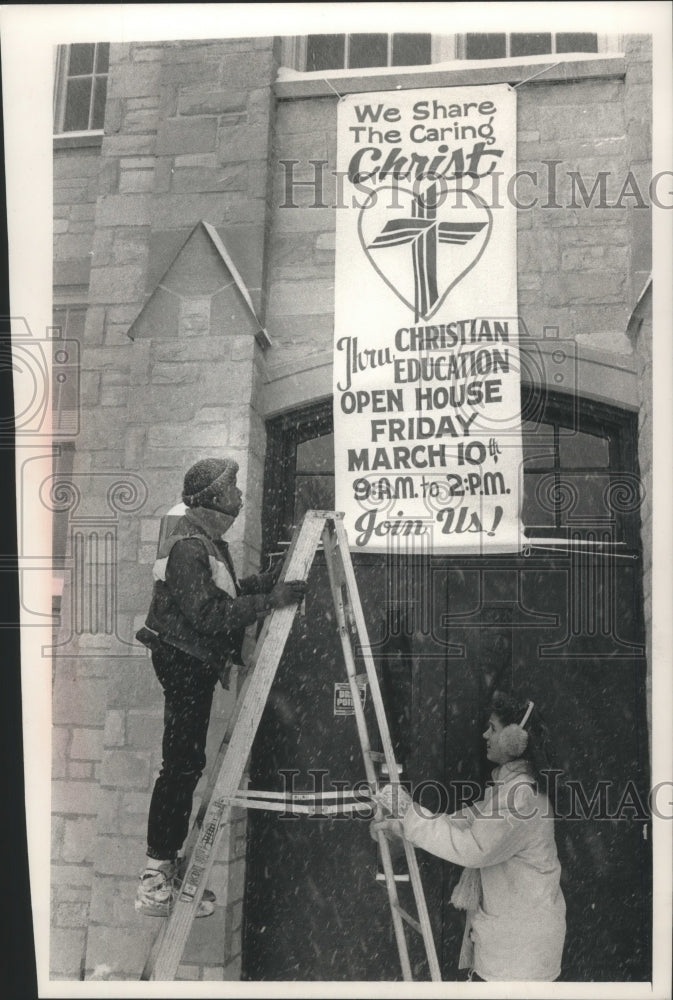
x: 562, y: 622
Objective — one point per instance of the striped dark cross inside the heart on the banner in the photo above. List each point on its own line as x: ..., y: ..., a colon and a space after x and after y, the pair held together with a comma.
x: 424, y: 233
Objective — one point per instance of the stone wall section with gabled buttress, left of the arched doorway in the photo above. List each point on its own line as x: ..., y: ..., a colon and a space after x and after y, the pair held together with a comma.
x: 186, y: 139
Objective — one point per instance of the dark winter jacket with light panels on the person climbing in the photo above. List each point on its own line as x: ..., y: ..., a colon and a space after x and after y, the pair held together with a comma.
x: 198, y: 605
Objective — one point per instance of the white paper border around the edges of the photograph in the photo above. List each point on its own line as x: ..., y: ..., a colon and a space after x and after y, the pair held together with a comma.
x: 28, y: 34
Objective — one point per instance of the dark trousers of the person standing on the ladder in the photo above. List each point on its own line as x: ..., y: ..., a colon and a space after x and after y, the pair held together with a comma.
x: 188, y: 690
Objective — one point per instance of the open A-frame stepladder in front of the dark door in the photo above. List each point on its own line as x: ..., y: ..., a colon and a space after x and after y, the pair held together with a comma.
x: 229, y: 769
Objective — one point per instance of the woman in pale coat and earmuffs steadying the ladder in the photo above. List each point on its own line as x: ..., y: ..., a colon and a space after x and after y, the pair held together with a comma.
x: 510, y: 887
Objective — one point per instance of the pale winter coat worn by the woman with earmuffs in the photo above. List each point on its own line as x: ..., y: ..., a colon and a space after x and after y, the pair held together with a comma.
x: 517, y: 932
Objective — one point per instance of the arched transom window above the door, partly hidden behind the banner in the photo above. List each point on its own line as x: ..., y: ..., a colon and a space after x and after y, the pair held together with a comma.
x: 579, y: 471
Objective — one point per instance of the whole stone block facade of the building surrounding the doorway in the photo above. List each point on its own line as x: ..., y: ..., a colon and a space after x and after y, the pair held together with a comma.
x: 205, y: 309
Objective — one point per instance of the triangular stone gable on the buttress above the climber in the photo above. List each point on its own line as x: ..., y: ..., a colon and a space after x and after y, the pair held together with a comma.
x: 200, y: 291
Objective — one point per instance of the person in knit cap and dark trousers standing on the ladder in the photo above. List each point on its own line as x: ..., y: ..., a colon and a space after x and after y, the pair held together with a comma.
x: 195, y: 629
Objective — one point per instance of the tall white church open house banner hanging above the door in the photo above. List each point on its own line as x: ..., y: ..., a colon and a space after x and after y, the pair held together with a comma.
x: 427, y: 404
